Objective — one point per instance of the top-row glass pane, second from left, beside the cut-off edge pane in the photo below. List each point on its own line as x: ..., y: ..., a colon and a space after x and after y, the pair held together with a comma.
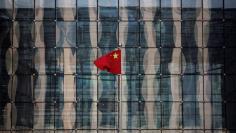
x: 24, y: 9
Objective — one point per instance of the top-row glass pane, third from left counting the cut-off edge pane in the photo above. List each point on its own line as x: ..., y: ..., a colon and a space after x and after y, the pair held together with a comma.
x: 44, y: 9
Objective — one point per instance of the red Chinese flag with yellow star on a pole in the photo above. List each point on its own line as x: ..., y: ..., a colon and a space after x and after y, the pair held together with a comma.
x: 110, y: 62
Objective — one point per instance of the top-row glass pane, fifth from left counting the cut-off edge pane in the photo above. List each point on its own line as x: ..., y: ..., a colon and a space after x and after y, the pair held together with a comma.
x: 87, y: 9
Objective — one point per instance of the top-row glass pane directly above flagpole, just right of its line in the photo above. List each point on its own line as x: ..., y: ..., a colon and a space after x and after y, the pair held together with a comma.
x: 129, y: 9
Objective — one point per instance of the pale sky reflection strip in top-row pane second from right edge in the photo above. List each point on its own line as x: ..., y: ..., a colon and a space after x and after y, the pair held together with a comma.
x: 212, y: 4
